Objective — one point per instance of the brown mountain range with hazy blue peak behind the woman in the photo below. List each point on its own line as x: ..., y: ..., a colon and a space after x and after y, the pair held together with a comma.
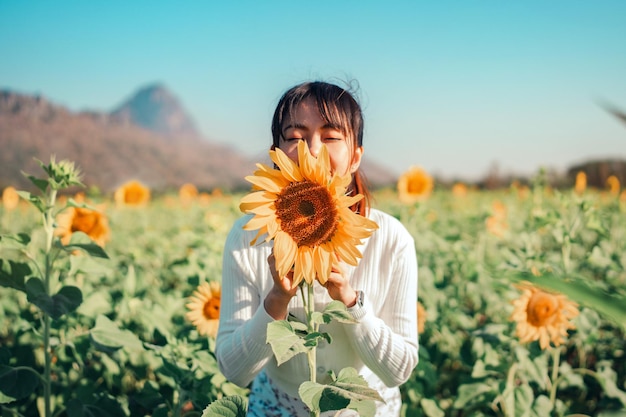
x: 149, y: 137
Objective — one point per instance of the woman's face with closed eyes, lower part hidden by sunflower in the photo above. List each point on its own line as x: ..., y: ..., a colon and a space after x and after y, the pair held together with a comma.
x: 307, y: 124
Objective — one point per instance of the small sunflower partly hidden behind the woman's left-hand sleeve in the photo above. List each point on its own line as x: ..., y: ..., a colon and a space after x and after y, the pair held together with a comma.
x: 204, y: 308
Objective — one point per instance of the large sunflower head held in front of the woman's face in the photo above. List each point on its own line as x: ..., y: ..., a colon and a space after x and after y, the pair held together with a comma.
x: 305, y: 210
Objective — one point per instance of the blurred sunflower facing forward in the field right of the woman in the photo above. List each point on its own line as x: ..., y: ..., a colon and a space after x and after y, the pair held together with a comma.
x: 542, y: 316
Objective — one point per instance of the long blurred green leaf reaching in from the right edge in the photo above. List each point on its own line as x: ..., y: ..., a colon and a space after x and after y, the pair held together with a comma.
x: 610, y: 305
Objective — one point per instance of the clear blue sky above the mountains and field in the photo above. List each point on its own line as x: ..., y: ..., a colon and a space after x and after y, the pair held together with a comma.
x: 453, y: 86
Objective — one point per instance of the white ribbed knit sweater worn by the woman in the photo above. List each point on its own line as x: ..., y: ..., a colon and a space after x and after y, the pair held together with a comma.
x: 382, y: 346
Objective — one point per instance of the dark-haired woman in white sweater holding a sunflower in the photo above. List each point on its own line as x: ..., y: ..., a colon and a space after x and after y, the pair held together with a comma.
x: 380, y: 293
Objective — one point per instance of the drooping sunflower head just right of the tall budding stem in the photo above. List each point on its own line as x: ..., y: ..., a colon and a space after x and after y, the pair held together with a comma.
x: 91, y: 222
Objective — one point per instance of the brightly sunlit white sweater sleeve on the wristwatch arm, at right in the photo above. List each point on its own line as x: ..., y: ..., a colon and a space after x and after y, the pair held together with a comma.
x: 386, y: 336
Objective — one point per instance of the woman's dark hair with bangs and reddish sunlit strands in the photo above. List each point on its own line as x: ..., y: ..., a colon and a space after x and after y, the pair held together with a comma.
x: 337, y: 107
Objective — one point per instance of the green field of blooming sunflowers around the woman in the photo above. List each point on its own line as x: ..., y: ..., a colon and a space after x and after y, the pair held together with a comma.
x: 110, y: 302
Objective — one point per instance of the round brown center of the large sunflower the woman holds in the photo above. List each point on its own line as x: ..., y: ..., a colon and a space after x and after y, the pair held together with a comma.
x: 307, y: 213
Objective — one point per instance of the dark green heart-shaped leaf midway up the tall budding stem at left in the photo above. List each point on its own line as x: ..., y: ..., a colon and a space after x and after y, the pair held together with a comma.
x: 65, y: 301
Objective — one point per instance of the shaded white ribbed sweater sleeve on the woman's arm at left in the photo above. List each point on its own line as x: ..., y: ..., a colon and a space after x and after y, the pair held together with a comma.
x: 241, y: 347
